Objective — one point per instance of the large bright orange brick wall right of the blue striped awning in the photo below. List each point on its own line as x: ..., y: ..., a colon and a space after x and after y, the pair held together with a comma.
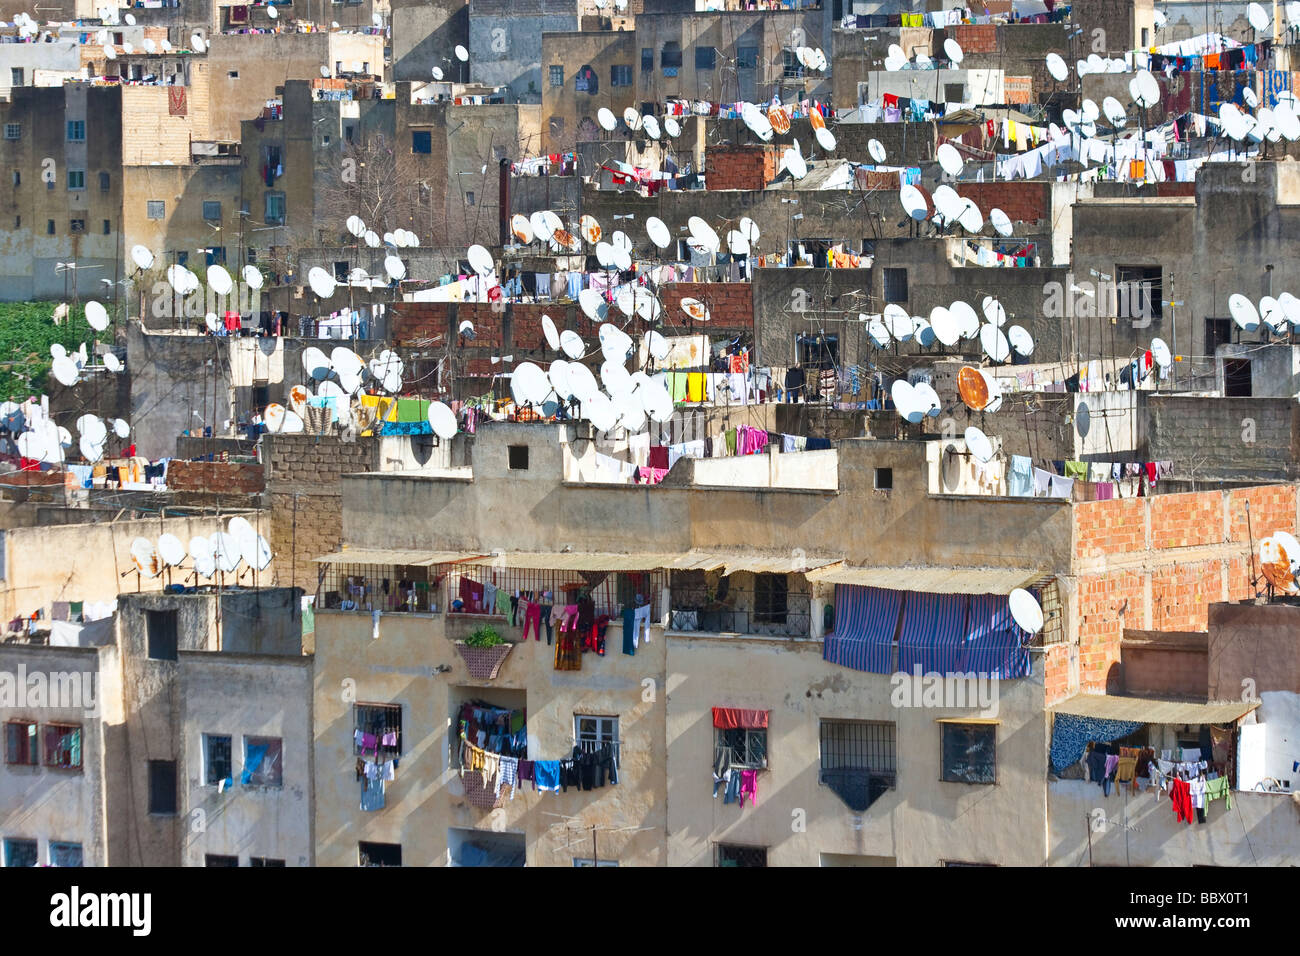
x: 1158, y: 564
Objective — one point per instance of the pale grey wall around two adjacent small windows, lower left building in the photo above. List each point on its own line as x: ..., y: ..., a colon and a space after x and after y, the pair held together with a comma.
x: 248, y: 697
